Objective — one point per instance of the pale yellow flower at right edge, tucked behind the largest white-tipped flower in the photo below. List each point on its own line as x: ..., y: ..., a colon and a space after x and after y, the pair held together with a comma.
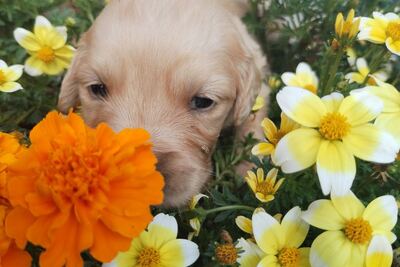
x: 389, y: 119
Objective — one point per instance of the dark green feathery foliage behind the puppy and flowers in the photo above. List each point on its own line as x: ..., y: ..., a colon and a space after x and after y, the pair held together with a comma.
x: 289, y: 32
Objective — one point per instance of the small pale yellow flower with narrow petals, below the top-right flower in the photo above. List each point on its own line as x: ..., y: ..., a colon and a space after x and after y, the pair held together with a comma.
x: 363, y: 73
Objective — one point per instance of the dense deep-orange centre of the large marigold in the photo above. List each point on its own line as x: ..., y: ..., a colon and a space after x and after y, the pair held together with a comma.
x: 73, y: 173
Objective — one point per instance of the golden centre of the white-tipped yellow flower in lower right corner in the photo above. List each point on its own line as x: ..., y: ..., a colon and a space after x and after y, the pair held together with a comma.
x: 358, y: 231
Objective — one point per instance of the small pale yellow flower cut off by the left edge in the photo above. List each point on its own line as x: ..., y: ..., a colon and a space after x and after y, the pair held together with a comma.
x: 8, y: 77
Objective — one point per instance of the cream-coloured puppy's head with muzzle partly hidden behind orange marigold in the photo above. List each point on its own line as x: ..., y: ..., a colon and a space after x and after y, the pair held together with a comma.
x: 180, y: 69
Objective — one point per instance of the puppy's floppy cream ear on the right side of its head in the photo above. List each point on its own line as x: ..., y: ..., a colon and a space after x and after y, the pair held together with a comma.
x: 251, y: 68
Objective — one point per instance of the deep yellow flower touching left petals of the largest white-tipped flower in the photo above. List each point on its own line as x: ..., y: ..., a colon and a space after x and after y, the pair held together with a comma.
x: 273, y: 135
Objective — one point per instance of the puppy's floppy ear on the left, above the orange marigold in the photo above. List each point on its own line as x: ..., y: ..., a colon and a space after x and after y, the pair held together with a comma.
x: 69, y: 93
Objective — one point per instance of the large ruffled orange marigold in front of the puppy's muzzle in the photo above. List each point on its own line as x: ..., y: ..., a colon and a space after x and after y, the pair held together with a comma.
x: 78, y: 188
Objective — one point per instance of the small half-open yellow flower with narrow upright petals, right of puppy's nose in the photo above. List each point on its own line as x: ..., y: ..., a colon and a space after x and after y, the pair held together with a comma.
x: 263, y: 187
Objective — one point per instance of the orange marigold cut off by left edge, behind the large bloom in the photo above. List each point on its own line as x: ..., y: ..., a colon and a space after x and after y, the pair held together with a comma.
x: 10, y: 254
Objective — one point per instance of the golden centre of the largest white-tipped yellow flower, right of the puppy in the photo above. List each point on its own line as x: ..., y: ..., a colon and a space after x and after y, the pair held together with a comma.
x: 334, y: 126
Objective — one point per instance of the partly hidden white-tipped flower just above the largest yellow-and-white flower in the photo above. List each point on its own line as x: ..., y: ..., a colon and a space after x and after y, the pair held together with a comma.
x: 304, y: 77
